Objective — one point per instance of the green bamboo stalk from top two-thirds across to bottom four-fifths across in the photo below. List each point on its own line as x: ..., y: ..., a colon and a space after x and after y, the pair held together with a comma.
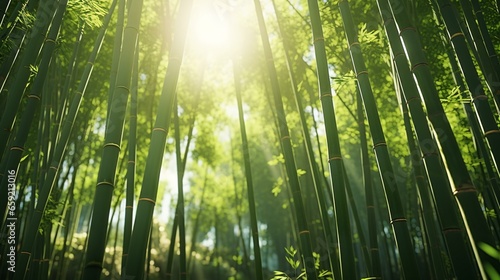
x: 396, y: 212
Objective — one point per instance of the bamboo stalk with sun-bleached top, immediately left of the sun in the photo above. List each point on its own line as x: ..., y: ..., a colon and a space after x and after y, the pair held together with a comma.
x: 147, y: 200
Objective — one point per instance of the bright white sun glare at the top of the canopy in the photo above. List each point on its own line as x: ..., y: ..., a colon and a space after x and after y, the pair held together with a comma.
x: 210, y: 27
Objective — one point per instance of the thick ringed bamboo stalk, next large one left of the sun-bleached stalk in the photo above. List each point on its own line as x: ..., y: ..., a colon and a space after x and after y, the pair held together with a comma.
x: 111, y: 150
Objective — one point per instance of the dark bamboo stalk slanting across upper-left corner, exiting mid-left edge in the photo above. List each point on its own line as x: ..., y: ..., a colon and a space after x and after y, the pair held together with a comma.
x: 45, y: 13
